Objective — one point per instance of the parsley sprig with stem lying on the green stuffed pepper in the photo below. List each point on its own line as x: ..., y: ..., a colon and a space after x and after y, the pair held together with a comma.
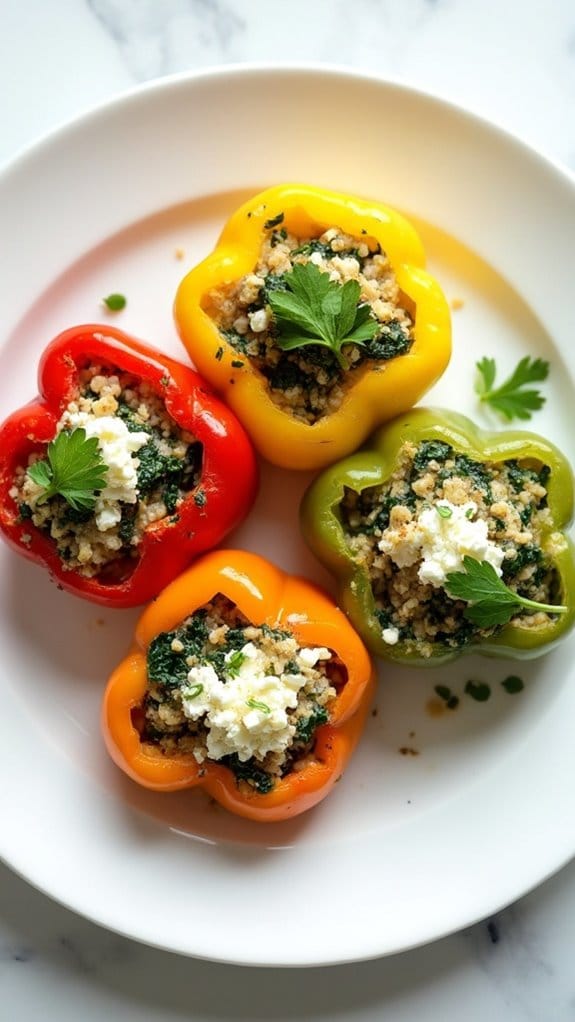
x: 491, y: 601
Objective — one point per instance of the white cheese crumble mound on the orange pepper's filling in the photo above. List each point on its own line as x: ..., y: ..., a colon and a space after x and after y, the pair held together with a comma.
x: 247, y: 712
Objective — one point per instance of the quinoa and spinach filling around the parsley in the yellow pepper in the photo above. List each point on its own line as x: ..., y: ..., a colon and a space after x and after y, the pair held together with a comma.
x: 309, y: 383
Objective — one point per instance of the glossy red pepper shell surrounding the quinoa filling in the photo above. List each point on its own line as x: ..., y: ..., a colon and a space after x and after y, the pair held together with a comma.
x: 227, y: 487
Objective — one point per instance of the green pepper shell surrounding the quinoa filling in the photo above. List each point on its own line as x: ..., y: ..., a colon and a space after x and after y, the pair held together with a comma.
x: 324, y: 533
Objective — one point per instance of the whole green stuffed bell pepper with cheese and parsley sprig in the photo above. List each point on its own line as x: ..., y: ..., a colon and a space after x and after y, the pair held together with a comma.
x: 447, y: 539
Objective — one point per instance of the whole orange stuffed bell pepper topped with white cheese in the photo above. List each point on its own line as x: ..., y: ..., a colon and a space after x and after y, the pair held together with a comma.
x: 243, y: 681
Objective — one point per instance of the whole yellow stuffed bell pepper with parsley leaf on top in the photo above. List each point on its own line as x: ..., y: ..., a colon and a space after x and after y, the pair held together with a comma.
x: 316, y: 320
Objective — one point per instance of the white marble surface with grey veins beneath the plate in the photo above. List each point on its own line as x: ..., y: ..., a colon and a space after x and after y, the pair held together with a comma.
x: 513, y: 62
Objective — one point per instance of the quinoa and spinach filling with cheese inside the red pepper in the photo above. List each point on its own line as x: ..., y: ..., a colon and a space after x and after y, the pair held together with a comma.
x: 152, y: 466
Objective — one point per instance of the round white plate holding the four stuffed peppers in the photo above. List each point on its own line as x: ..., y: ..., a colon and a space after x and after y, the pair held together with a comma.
x: 408, y: 848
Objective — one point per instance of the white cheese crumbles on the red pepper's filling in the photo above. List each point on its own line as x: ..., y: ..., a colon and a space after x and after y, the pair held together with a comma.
x: 117, y: 446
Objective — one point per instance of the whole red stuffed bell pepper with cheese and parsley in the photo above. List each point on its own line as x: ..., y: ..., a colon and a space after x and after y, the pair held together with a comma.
x: 123, y: 471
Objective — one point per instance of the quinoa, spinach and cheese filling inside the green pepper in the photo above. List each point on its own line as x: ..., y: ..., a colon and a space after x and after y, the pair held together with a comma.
x: 501, y: 512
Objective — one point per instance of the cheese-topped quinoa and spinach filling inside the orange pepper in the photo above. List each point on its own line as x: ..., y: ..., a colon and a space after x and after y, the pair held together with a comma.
x: 248, y: 696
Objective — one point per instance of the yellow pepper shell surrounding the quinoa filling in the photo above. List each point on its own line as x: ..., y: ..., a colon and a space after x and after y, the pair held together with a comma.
x: 377, y: 395
